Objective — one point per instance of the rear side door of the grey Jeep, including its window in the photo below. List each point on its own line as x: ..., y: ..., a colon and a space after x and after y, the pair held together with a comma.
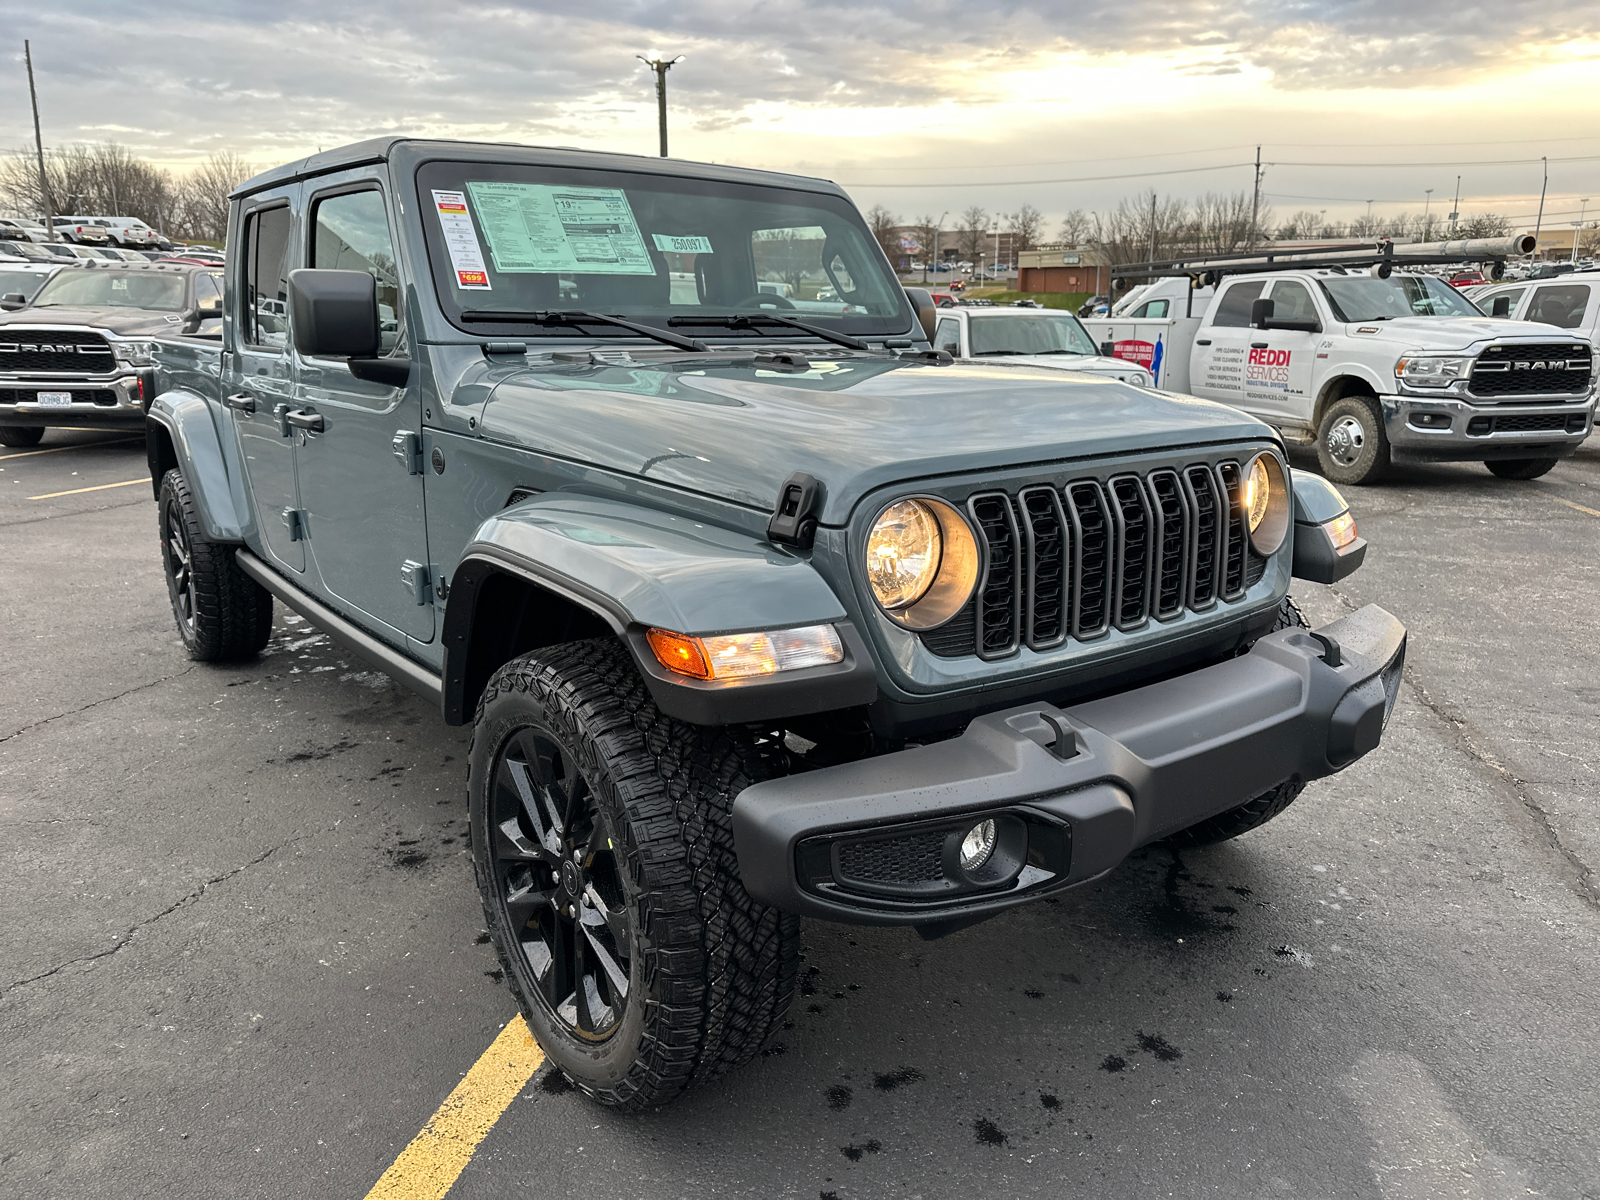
x: 258, y: 385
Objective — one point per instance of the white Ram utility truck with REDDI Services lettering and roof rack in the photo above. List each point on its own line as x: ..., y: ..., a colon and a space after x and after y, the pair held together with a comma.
x: 1367, y: 361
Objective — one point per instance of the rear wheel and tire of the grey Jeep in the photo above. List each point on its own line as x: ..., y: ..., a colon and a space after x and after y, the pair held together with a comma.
x: 223, y: 615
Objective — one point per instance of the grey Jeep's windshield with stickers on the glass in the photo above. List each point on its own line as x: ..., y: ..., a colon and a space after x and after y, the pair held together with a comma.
x: 522, y: 239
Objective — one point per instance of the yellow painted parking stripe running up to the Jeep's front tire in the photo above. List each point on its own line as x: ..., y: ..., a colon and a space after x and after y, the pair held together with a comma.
x: 430, y: 1167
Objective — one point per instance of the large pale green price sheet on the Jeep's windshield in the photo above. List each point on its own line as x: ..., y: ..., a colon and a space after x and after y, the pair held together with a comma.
x: 546, y: 230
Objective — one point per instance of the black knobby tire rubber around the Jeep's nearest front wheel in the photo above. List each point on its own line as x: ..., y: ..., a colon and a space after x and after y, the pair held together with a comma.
x: 711, y: 972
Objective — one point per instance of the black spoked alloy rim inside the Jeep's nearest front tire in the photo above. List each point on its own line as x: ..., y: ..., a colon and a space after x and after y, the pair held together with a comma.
x: 561, y: 886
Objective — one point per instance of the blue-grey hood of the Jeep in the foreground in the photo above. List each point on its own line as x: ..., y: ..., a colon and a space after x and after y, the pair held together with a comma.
x: 737, y: 431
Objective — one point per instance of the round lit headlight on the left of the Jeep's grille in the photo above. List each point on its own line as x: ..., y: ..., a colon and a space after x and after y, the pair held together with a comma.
x: 922, y: 562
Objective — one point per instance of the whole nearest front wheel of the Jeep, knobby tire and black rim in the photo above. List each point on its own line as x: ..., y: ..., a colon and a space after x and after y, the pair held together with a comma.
x: 604, y: 855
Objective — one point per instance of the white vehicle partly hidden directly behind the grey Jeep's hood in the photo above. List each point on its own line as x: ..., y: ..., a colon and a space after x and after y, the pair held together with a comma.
x: 1030, y: 338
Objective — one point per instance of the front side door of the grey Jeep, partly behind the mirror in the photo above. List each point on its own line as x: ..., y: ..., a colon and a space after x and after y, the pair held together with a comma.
x: 361, y: 473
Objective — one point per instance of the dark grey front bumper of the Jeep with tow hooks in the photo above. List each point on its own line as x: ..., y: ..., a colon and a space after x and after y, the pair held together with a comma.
x: 1073, y: 791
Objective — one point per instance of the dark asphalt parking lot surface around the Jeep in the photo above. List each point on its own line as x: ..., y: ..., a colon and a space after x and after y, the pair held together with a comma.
x: 242, y: 951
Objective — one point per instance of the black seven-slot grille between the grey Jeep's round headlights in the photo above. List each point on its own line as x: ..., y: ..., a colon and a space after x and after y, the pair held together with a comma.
x: 1079, y: 561
